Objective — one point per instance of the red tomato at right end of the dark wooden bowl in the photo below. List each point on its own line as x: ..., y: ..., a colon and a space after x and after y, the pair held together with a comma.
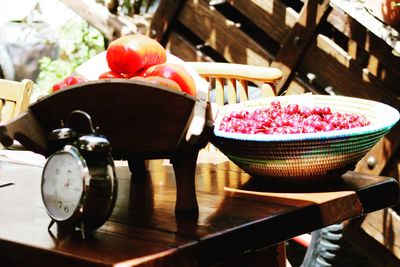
x: 174, y: 72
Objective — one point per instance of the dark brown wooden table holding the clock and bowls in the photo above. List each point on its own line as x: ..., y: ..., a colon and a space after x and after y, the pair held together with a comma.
x: 236, y: 226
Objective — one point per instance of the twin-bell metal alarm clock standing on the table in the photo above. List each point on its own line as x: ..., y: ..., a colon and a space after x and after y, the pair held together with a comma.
x: 79, y: 185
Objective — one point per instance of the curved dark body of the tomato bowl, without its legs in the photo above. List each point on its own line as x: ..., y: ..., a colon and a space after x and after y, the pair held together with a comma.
x: 138, y: 119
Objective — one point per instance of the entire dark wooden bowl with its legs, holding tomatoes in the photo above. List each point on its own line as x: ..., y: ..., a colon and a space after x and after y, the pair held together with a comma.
x: 141, y: 121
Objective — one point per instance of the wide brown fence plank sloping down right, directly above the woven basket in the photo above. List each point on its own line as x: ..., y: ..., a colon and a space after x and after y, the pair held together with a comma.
x: 333, y: 67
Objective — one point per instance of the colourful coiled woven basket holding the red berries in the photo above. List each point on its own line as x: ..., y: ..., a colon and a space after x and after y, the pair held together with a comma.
x: 306, y: 156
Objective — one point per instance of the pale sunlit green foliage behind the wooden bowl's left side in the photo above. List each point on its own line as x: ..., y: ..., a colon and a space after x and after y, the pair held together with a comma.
x: 78, y: 42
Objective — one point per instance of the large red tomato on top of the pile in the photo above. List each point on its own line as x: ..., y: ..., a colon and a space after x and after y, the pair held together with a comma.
x: 130, y: 53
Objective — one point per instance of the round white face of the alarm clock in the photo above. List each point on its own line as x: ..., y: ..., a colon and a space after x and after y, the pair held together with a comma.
x: 63, y: 184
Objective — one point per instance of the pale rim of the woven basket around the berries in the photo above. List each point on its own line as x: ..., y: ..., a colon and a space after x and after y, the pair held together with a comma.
x: 390, y: 118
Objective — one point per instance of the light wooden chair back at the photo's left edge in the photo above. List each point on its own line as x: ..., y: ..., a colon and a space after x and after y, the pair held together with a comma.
x: 14, y: 98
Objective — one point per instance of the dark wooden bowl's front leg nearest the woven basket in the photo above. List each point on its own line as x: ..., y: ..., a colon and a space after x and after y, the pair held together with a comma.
x: 184, y: 164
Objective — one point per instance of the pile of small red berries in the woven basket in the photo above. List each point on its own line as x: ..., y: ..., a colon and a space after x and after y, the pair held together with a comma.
x: 289, y: 119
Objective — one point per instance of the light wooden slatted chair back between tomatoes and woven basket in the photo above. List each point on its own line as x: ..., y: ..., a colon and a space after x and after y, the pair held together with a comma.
x: 230, y: 83
